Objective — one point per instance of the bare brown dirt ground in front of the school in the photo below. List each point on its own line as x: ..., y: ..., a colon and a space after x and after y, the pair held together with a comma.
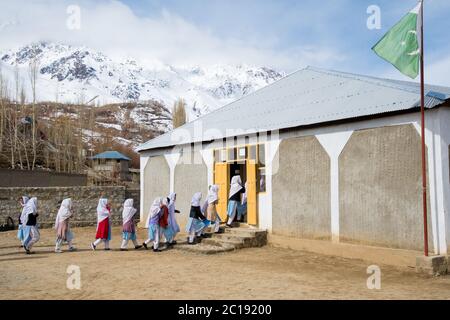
x: 260, y: 273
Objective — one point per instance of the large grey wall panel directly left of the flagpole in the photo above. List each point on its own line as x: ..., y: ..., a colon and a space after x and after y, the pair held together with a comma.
x: 380, y: 188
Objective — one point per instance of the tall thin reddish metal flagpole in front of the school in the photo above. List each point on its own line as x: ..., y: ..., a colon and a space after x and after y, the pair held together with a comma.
x: 422, y: 111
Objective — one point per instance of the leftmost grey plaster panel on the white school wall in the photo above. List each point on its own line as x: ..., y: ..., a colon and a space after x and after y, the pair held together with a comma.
x: 156, y: 182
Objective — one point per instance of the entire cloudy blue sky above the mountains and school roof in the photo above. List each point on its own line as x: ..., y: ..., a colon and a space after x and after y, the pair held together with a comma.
x: 285, y: 34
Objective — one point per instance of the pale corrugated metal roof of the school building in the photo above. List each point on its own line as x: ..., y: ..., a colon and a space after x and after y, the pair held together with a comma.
x: 306, y: 97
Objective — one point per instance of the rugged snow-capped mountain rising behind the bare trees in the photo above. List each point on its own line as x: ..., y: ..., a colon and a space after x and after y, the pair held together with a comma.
x: 80, y: 75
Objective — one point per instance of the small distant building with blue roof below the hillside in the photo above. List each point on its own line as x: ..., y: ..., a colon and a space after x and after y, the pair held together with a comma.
x: 110, y: 167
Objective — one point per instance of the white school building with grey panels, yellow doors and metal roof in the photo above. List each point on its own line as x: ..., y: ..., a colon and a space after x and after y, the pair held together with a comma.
x: 326, y: 155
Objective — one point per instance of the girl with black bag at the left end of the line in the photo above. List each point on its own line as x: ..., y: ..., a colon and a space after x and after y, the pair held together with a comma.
x: 29, y: 221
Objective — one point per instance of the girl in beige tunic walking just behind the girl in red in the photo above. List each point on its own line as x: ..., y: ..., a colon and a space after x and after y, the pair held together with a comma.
x: 63, y: 232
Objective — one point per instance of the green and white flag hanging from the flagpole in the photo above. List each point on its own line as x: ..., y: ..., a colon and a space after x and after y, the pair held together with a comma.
x: 400, y: 46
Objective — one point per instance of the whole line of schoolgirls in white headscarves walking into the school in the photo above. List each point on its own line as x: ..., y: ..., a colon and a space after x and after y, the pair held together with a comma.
x: 161, y: 220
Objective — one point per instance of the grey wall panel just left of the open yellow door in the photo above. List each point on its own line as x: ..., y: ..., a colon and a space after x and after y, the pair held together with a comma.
x: 190, y: 178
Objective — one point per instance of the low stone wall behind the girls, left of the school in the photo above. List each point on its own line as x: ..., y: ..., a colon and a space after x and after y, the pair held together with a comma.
x: 85, y: 200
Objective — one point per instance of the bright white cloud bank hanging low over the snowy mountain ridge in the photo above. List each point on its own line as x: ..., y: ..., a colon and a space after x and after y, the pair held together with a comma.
x: 113, y: 28
